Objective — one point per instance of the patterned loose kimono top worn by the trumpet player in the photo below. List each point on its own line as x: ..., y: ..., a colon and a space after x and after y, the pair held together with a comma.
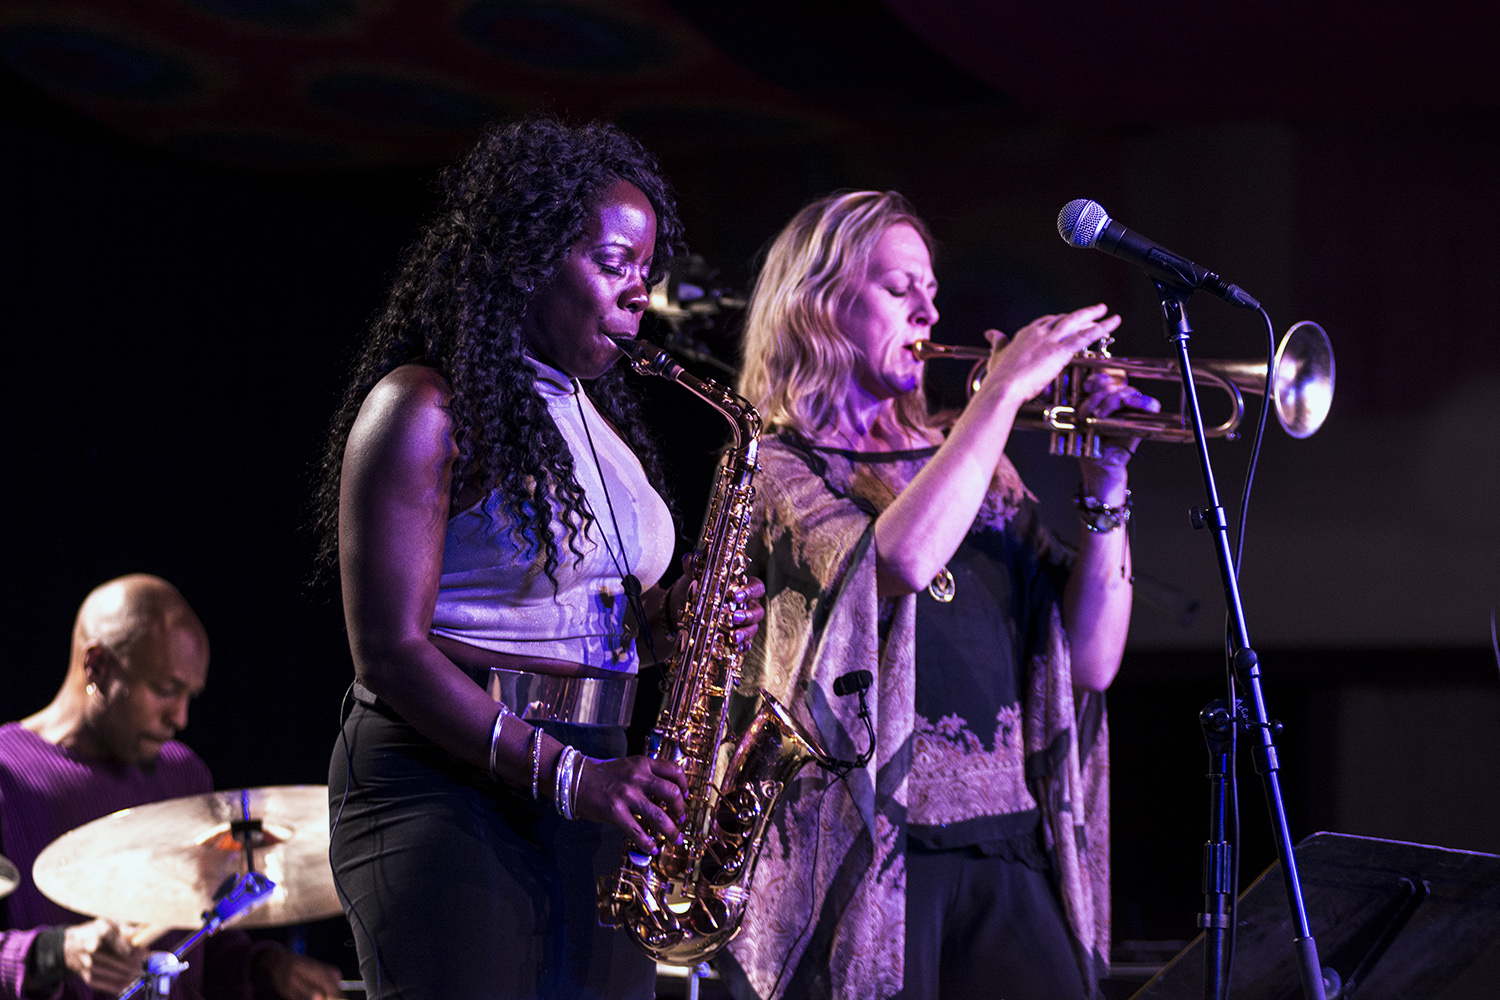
x: 829, y: 909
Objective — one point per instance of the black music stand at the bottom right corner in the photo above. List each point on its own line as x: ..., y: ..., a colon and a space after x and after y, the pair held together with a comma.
x: 1394, y: 921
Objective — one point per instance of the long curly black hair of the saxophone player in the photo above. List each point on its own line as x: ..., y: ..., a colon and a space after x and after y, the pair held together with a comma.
x: 509, y: 214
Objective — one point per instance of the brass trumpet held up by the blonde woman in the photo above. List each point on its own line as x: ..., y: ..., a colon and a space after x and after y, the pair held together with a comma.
x: 1301, y: 389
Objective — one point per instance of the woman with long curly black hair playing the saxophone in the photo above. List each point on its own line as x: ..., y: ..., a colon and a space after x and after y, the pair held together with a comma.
x: 490, y: 501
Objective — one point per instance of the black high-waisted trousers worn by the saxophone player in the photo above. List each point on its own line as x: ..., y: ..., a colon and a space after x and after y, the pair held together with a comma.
x: 461, y: 890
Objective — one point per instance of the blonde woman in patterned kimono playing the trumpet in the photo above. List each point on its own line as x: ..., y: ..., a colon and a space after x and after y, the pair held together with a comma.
x: 971, y: 855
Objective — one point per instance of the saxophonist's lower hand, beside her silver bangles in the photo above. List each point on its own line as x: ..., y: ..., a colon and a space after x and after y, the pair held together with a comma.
x: 640, y: 795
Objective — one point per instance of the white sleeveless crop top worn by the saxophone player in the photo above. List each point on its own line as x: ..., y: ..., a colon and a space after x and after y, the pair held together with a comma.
x: 494, y: 594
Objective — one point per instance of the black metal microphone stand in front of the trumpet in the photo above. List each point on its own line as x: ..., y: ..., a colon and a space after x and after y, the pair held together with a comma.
x: 1246, y: 666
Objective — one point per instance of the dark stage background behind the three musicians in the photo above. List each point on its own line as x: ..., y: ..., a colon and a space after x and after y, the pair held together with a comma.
x: 188, y: 262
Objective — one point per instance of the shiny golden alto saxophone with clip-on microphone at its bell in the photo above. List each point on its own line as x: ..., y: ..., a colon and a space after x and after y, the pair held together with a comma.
x: 688, y: 902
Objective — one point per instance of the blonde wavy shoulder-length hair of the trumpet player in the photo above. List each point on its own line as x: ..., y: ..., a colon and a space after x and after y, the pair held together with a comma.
x: 797, y: 362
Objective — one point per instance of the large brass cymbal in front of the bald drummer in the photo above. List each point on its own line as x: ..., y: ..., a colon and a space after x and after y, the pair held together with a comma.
x: 161, y: 864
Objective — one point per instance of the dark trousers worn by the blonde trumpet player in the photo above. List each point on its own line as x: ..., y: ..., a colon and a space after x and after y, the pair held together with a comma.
x: 985, y: 927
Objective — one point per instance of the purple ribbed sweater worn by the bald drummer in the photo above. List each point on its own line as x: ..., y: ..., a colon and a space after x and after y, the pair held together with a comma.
x: 46, y: 792
